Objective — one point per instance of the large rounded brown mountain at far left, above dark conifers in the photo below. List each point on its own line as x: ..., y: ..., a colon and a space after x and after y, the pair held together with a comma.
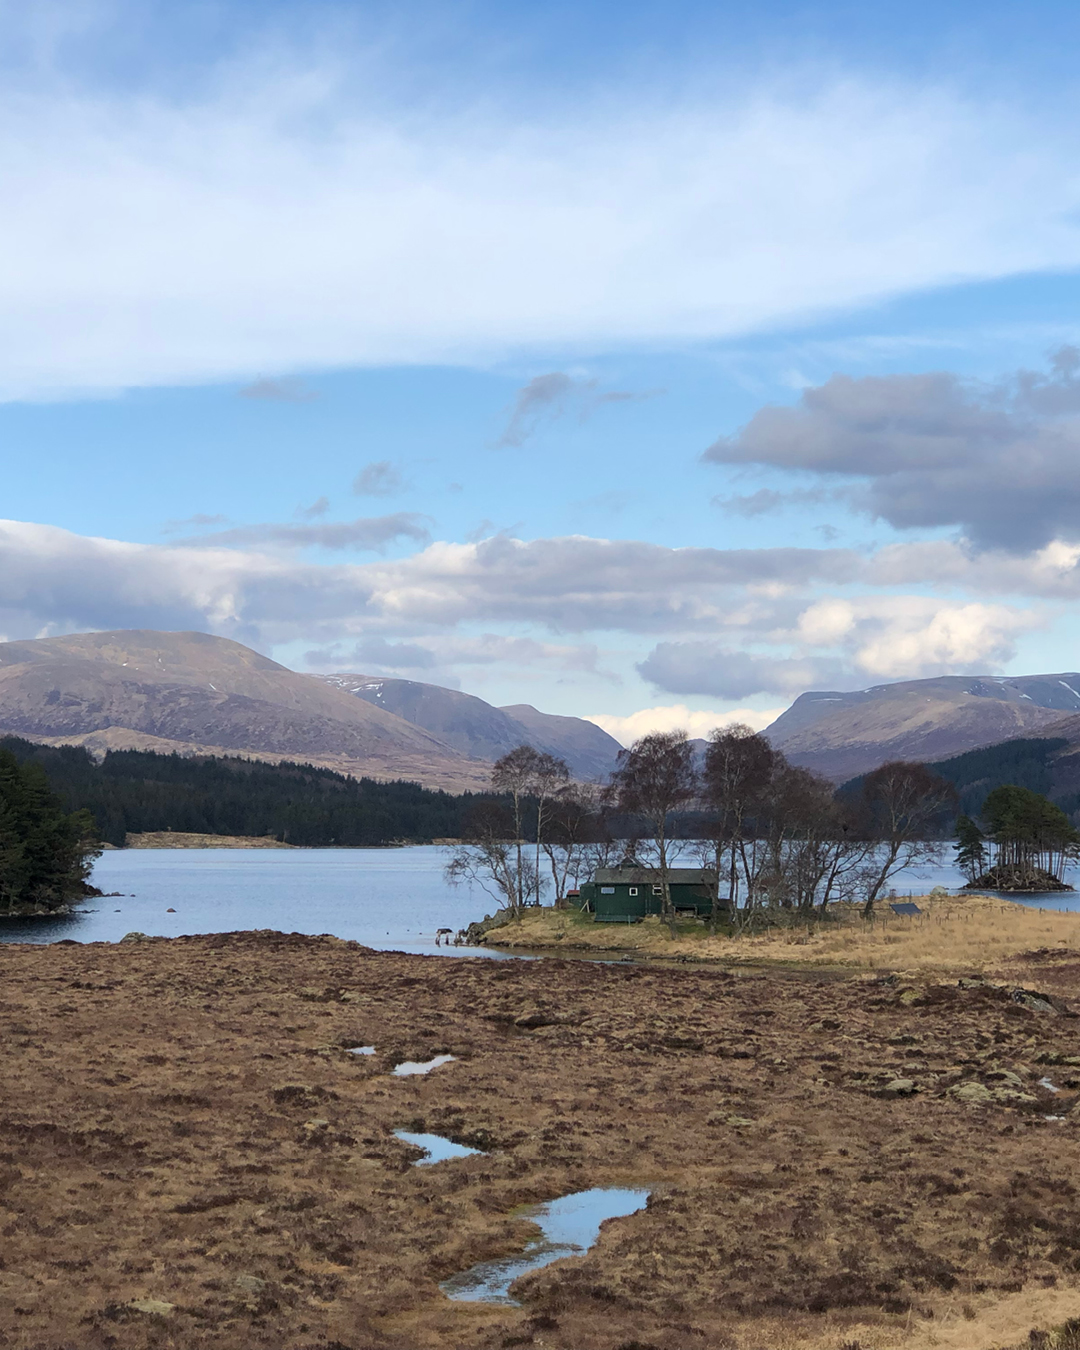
x: 191, y: 692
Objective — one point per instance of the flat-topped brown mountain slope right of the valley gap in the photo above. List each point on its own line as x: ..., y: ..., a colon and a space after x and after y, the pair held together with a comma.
x: 843, y: 735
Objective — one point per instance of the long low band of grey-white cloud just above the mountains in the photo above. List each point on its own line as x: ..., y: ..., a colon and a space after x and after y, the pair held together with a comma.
x: 735, y: 623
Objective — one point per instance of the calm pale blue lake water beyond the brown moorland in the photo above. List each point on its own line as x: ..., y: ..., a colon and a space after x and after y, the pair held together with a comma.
x: 394, y: 900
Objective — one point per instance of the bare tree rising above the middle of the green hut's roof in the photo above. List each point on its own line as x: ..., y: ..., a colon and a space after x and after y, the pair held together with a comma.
x: 654, y: 780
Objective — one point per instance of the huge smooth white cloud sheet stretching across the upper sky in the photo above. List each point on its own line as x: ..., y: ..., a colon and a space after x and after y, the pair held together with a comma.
x: 273, y: 223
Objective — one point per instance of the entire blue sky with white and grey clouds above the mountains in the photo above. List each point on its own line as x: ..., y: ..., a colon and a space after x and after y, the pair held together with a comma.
x: 643, y: 362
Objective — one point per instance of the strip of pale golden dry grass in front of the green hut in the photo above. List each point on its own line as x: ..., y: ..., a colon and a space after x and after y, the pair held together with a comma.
x: 963, y: 934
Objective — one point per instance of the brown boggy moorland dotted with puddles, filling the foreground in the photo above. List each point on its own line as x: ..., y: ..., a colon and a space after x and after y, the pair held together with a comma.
x: 182, y: 1124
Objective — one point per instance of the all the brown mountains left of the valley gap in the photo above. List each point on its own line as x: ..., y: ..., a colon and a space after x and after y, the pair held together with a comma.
x: 194, y: 693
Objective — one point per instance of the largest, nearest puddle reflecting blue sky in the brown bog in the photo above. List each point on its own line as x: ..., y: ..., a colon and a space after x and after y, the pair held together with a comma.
x: 570, y: 1226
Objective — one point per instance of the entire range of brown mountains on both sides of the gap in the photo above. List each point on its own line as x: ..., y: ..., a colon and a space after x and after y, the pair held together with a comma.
x: 194, y: 693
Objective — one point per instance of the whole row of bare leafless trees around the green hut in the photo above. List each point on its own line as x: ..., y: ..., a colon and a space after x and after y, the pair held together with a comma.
x: 772, y: 835
